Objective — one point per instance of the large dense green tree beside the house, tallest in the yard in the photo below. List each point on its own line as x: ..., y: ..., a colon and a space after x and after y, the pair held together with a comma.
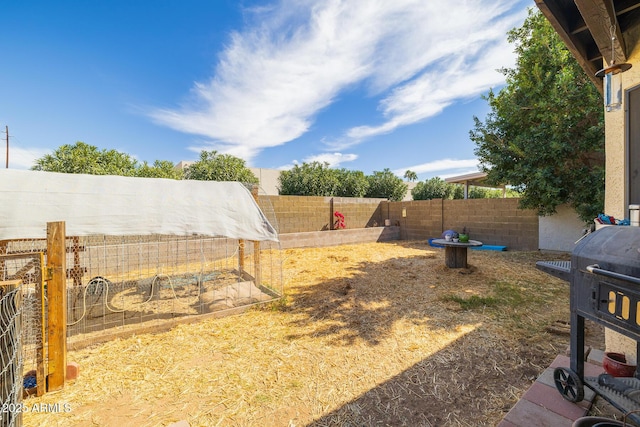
x: 544, y: 134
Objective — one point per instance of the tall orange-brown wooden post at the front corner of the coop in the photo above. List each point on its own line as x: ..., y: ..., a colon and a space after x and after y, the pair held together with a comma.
x: 57, y: 307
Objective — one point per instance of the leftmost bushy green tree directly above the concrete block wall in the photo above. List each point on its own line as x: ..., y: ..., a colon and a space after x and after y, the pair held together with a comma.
x: 310, y: 179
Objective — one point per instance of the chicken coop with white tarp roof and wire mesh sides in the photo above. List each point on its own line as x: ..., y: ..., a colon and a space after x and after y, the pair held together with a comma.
x: 85, y: 258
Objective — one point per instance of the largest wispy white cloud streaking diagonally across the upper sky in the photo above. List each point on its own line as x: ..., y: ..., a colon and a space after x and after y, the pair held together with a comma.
x: 275, y: 76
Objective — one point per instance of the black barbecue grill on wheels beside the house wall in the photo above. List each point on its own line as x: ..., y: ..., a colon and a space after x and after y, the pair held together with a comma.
x: 604, y: 278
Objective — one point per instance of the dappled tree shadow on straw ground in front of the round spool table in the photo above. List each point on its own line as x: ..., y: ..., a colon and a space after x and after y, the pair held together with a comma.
x: 366, y: 299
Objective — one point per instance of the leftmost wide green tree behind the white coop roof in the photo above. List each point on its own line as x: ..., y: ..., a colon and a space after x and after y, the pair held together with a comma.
x: 85, y: 158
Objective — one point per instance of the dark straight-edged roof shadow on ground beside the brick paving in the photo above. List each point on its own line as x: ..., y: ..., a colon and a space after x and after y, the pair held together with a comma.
x: 473, y: 381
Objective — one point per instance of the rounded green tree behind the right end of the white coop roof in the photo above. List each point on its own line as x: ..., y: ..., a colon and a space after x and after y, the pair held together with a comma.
x: 219, y: 167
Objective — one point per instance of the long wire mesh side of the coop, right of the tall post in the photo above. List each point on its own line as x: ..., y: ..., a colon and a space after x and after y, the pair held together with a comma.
x: 127, y: 281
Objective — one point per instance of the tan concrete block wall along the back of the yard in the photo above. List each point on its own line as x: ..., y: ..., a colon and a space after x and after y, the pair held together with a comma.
x: 492, y: 221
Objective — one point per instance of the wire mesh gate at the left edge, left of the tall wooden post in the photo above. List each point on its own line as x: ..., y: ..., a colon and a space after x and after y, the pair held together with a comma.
x: 21, y: 332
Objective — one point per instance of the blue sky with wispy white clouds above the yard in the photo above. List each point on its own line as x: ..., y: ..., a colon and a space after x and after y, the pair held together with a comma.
x: 364, y: 85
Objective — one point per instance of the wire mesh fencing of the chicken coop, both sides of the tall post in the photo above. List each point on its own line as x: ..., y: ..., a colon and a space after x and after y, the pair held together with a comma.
x: 121, y: 284
